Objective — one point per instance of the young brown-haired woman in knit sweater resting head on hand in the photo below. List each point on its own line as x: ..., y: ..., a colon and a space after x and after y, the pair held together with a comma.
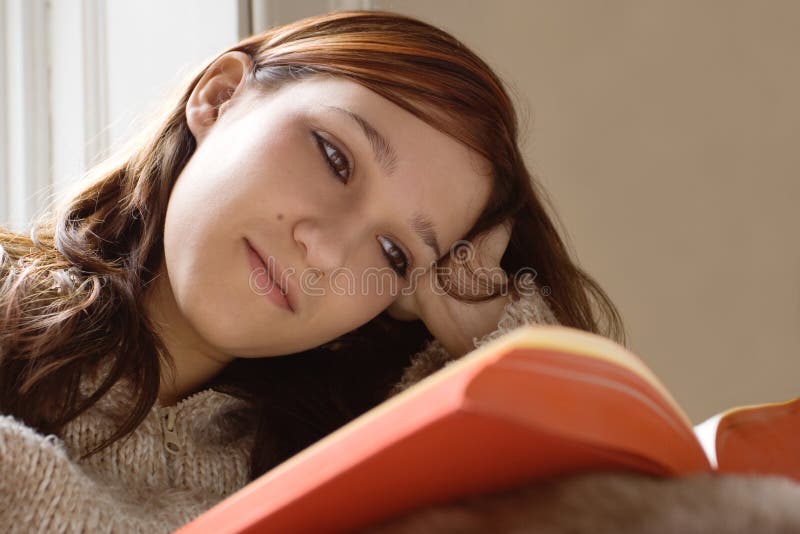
x: 204, y: 306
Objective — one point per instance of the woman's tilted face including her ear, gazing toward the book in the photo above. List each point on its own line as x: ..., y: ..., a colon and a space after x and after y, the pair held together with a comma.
x: 261, y: 177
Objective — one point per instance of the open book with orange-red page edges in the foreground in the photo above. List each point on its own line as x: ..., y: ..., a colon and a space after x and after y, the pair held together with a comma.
x: 540, y: 401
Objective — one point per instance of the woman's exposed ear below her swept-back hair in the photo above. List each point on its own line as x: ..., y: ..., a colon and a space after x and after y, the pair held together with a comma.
x: 221, y: 81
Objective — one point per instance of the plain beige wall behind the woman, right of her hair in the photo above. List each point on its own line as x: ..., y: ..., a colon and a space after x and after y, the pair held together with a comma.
x: 667, y: 134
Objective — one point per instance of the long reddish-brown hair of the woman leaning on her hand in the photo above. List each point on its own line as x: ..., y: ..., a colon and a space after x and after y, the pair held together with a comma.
x: 71, y: 291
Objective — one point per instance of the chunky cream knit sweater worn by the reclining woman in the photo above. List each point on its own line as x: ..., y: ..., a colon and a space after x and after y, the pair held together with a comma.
x: 178, y: 463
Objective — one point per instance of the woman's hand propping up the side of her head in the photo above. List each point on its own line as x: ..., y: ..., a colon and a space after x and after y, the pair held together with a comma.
x: 454, y: 323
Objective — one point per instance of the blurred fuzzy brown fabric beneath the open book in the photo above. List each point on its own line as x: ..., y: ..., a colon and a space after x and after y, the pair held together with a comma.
x: 618, y: 503
